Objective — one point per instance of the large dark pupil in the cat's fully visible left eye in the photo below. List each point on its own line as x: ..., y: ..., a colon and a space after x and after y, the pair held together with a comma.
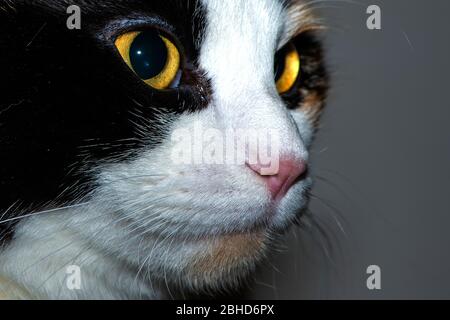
x: 148, y: 54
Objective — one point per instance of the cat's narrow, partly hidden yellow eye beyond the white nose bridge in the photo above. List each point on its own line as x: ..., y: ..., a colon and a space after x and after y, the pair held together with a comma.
x: 287, y: 68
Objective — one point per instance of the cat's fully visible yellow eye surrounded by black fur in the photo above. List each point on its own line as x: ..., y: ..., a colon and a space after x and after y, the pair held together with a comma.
x: 154, y: 58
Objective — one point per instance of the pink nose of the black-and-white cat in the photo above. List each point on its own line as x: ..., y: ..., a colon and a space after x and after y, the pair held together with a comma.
x: 279, y: 181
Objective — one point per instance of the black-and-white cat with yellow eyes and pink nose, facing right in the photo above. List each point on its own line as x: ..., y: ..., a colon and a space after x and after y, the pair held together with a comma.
x: 93, y: 205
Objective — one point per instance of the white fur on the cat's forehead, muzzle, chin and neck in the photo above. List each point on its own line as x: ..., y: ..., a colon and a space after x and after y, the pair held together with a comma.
x: 150, y: 220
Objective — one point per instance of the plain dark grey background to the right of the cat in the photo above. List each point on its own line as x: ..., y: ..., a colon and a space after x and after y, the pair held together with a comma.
x: 383, y: 156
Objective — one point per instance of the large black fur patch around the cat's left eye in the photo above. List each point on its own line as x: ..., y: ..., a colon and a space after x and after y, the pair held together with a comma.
x: 69, y: 101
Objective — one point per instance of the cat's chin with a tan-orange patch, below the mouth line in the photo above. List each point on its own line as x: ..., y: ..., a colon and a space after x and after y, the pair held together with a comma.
x: 217, y: 264
